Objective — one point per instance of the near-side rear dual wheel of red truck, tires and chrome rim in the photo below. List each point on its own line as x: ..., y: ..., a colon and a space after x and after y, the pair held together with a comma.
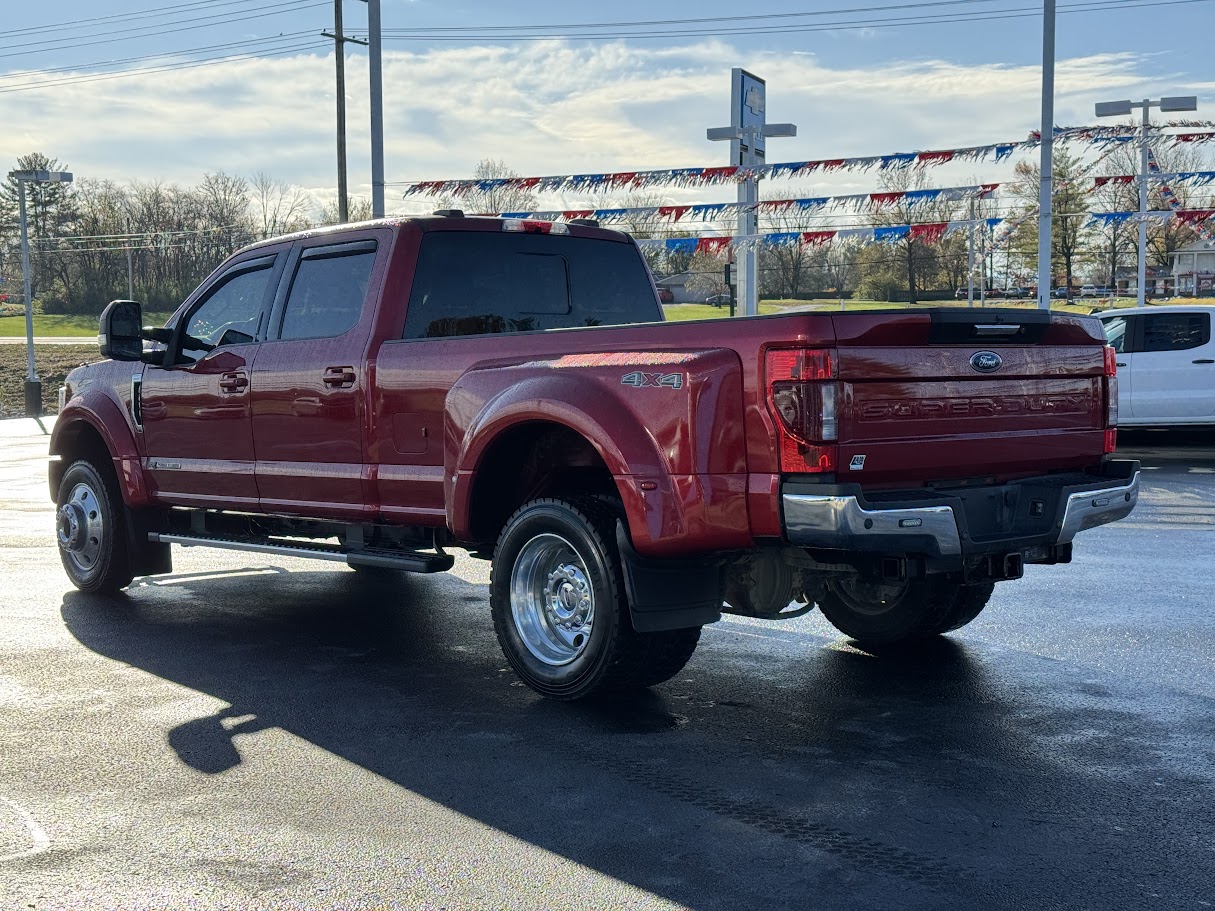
x: 575, y: 540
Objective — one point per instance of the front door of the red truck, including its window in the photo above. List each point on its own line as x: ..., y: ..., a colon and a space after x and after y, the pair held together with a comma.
x: 197, y: 433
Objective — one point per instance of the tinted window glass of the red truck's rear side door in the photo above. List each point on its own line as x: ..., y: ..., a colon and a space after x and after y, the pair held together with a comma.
x: 327, y: 295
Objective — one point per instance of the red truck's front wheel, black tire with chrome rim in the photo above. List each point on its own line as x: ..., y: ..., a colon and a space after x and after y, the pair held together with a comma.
x: 92, y: 529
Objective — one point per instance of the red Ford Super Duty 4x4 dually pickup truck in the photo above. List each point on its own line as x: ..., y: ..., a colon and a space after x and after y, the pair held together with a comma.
x: 376, y: 393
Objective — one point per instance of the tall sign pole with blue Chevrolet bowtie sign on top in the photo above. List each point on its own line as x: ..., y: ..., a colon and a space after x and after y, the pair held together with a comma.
x: 748, y: 133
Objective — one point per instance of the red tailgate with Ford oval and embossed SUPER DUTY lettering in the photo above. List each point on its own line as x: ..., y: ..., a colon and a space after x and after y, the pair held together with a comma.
x: 952, y: 395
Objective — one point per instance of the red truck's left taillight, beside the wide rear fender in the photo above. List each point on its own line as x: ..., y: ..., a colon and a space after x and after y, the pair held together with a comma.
x: 803, y: 399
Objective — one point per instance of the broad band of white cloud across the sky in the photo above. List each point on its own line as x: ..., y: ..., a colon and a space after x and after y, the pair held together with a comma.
x: 542, y: 109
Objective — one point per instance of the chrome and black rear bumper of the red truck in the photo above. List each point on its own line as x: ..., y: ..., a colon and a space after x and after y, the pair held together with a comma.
x: 843, y: 519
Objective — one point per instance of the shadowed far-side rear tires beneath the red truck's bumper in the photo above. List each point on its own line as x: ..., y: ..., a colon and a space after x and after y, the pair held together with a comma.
x: 886, y: 614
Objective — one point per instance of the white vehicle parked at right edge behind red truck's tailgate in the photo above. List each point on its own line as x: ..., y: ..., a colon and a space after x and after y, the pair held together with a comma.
x: 1166, y: 365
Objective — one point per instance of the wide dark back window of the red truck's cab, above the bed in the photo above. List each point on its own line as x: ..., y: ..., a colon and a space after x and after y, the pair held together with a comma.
x: 476, y: 284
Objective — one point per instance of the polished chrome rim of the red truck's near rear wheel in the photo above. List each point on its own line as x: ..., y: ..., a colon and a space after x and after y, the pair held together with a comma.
x: 552, y: 601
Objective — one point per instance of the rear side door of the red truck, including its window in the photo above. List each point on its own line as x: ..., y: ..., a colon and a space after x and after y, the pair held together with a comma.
x: 309, y: 381
